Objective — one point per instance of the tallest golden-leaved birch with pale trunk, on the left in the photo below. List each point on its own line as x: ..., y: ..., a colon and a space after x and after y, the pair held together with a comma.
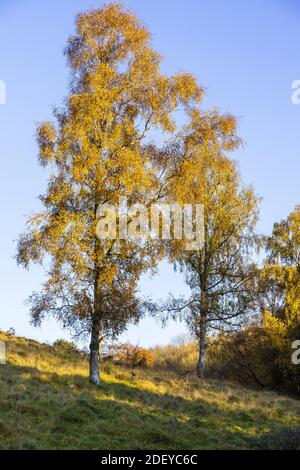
x: 98, y: 153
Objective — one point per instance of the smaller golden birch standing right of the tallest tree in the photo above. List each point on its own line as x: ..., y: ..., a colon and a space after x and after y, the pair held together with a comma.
x: 218, y: 274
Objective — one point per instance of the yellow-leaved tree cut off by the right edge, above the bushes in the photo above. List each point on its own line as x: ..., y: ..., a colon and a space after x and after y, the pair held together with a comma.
x: 279, y: 294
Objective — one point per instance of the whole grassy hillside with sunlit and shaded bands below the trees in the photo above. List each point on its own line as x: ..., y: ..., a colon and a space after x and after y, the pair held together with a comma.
x: 46, y: 402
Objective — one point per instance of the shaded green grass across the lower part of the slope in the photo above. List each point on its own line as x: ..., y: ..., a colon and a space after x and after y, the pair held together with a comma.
x: 44, y: 410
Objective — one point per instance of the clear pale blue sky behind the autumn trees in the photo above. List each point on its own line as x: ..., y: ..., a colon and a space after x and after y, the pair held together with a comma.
x: 246, y: 53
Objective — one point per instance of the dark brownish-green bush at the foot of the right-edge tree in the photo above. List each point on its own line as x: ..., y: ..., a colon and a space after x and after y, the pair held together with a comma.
x: 256, y: 356
